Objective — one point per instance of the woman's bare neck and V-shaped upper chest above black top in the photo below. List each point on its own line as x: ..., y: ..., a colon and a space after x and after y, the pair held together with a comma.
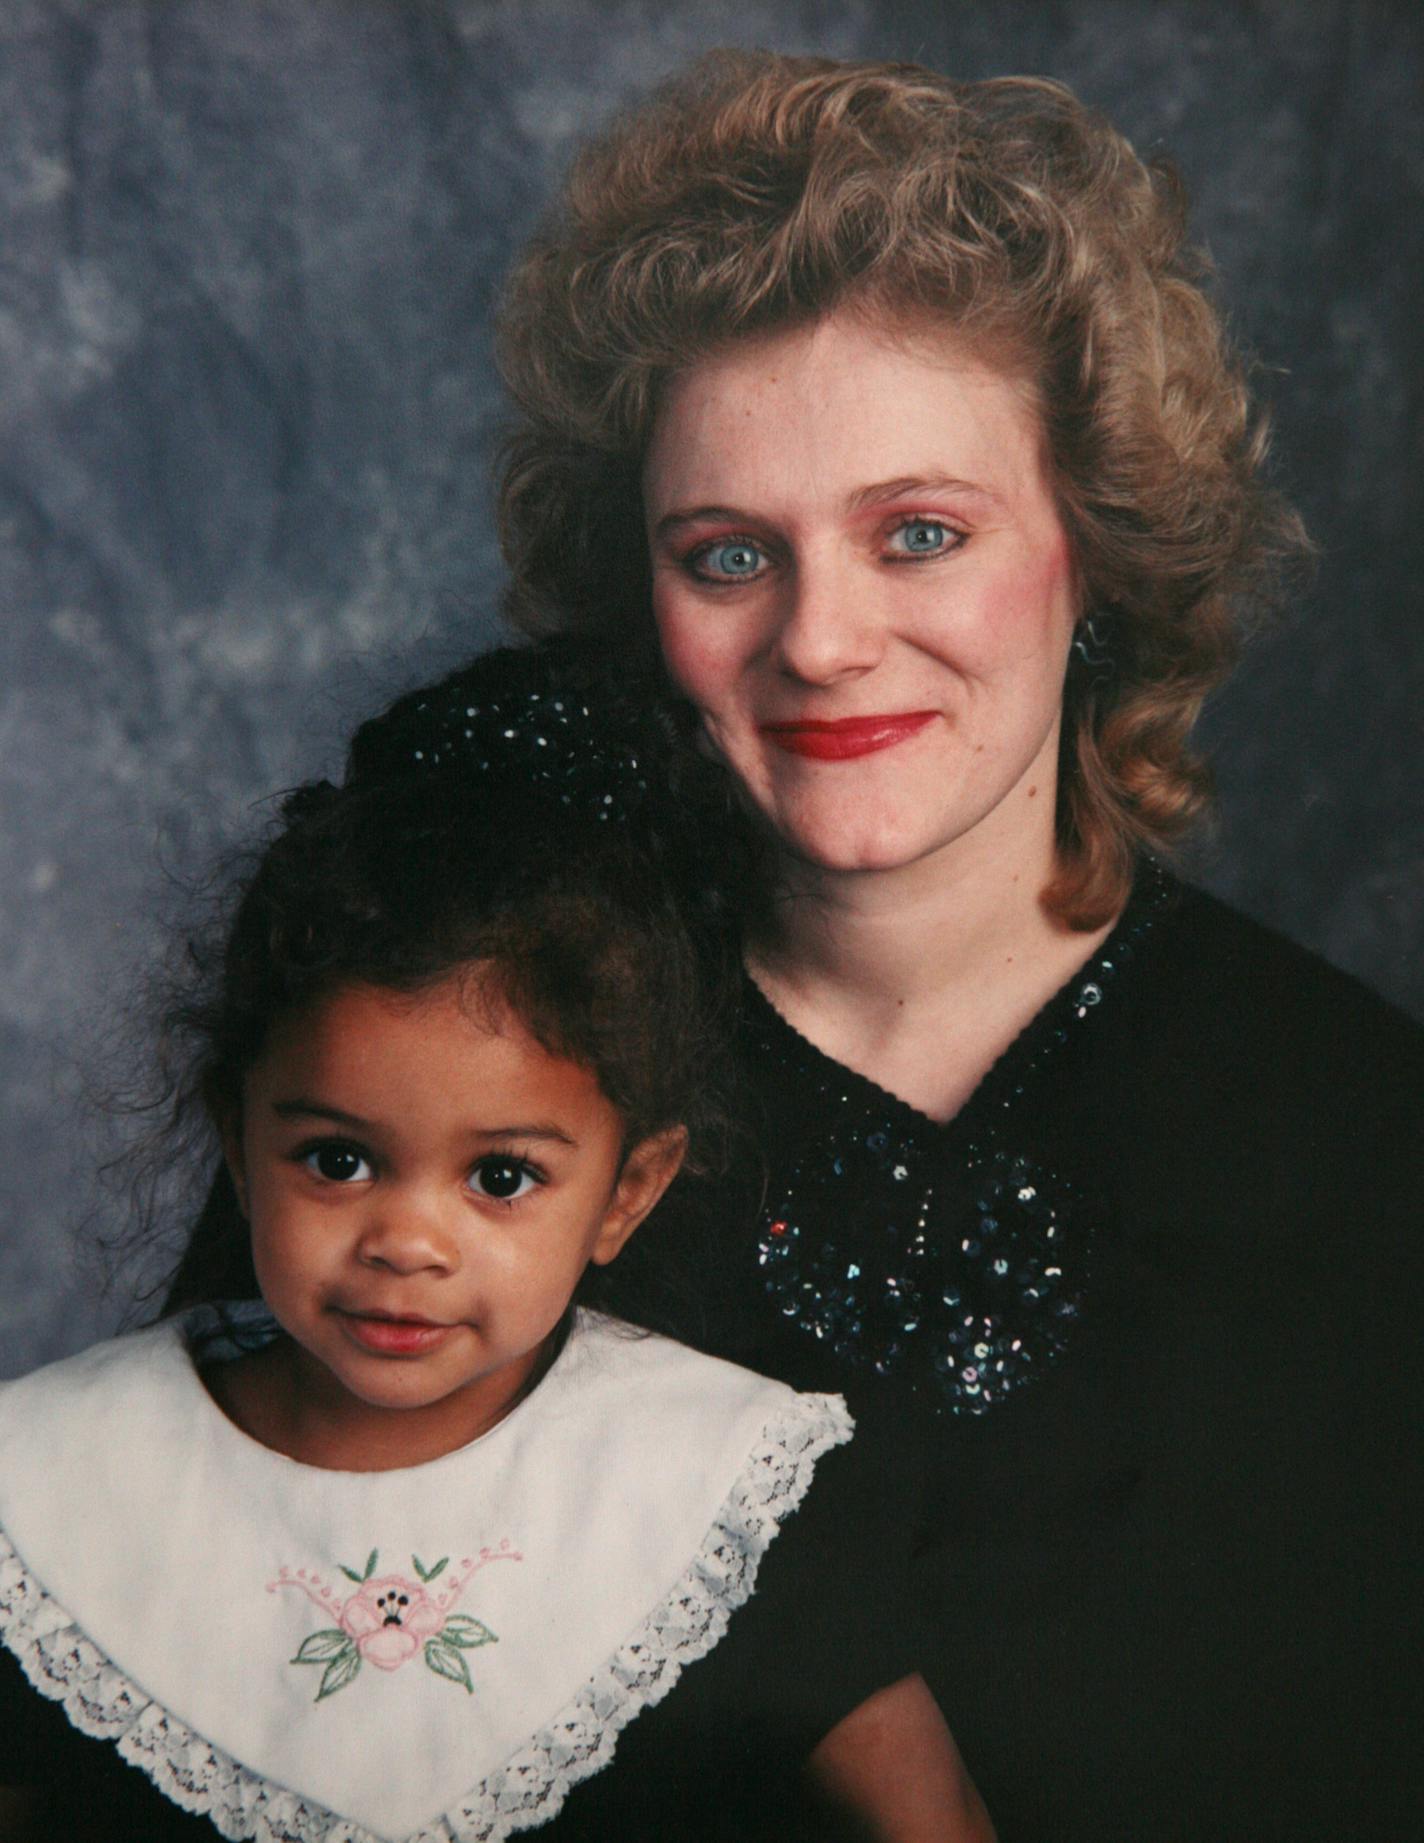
x: 920, y: 978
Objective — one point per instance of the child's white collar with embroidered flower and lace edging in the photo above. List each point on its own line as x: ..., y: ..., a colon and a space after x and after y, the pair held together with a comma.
x: 430, y: 1654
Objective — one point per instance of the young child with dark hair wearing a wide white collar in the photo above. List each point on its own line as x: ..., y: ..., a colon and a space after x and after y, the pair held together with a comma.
x: 391, y: 1536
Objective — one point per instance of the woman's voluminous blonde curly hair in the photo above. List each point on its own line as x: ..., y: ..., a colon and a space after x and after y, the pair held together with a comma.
x: 758, y: 193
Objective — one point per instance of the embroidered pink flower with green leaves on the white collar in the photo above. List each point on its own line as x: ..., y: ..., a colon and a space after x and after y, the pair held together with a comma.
x: 391, y: 1617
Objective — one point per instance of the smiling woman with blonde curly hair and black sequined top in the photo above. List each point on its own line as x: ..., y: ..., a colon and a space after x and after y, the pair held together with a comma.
x: 891, y: 416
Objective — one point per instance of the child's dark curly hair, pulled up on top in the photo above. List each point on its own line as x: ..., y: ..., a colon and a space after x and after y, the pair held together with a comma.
x: 561, y: 887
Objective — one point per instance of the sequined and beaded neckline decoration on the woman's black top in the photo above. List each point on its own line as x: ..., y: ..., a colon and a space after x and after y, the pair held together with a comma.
x: 948, y: 1258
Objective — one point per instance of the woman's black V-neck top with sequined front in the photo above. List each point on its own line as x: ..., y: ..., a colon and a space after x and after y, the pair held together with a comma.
x: 1145, y: 1324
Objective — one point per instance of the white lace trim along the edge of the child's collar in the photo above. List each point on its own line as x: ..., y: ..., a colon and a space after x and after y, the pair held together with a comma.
x: 533, y: 1783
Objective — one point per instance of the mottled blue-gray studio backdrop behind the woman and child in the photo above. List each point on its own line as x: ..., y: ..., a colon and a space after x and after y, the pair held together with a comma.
x: 246, y: 274
